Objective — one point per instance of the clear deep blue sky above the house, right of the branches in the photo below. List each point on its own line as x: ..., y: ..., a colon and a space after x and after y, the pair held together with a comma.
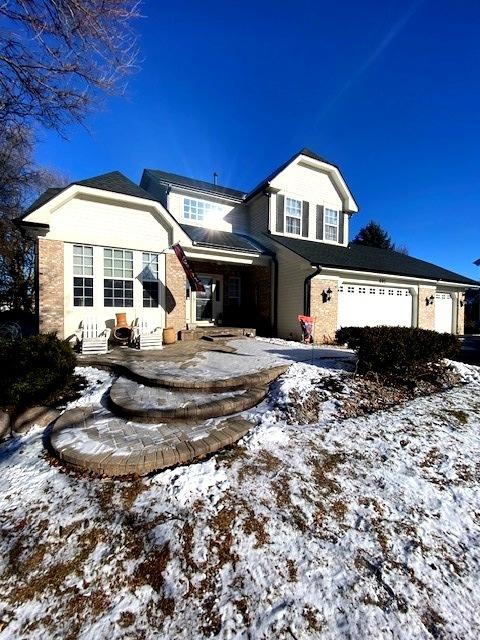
x: 388, y: 90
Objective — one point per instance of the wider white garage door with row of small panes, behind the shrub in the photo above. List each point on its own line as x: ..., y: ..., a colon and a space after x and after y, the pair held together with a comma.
x: 362, y: 306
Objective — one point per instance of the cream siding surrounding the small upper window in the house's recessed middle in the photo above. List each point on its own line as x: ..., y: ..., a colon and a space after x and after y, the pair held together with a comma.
x: 231, y: 217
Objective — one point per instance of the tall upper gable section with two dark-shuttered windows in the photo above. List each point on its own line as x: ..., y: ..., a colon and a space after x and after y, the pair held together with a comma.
x: 308, y: 199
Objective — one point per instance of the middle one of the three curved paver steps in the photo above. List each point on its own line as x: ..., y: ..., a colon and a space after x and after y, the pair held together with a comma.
x: 158, y: 404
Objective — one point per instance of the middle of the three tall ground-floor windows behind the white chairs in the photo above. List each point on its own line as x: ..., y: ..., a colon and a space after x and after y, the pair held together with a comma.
x: 118, y: 290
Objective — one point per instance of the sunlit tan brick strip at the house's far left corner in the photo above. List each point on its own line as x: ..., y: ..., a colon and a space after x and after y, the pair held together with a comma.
x: 50, y: 274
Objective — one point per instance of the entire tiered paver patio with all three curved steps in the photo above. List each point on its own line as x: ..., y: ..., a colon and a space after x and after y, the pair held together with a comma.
x: 168, y: 406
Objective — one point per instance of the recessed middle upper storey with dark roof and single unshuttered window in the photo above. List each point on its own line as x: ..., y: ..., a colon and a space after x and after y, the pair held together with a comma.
x: 196, y: 202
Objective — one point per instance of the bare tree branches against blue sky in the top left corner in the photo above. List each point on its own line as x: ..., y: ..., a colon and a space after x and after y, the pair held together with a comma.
x: 58, y: 56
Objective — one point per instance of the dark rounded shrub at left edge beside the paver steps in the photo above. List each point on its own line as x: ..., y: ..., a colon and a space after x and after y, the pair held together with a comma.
x: 34, y: 370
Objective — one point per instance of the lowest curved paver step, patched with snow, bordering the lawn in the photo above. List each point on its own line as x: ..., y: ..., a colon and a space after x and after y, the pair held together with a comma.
x: 93, y: 440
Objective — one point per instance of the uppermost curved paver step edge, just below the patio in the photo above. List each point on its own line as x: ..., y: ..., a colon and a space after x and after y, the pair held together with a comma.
x: 136, y: 372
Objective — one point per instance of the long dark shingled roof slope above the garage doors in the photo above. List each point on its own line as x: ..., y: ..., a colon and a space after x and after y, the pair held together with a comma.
x: 361, y: 258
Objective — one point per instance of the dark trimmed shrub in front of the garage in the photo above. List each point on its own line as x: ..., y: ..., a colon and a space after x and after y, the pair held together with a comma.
x: 397, y: 350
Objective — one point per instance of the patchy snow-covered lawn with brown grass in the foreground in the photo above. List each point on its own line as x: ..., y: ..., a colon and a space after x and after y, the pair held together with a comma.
x: 360, y: 528
